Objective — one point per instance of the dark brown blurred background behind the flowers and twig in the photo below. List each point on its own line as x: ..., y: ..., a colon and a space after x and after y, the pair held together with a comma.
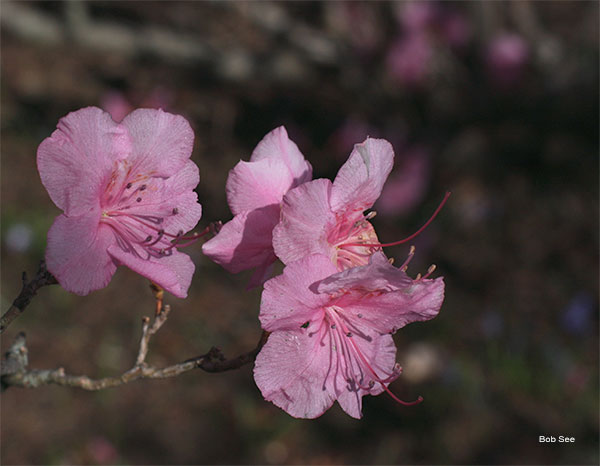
x: 494, y: 101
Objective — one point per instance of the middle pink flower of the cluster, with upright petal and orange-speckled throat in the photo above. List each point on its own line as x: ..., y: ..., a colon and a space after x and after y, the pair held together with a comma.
x: 321, y: 217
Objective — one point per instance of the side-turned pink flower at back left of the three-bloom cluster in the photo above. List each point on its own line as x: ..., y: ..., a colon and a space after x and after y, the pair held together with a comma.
x: 254, y: 193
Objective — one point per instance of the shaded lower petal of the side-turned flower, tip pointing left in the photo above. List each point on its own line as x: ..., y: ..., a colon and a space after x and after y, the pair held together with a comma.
x: 245, y: 242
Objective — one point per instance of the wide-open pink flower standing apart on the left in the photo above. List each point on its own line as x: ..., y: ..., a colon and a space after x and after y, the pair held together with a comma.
x: 126, y: 191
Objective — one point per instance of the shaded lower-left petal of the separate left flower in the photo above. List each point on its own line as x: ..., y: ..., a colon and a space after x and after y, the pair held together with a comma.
x: 76, y: 253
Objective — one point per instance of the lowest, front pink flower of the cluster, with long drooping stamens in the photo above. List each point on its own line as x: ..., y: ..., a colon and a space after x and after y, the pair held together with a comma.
x: 332, y: 332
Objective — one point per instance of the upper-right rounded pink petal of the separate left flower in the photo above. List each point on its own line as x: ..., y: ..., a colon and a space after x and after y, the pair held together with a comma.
x: 162, y: 142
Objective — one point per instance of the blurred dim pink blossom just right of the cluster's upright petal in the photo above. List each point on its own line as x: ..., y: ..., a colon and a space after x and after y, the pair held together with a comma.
x: 407, y: 183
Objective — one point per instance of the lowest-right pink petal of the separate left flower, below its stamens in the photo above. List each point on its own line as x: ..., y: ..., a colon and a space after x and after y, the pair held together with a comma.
x: 173, y: 273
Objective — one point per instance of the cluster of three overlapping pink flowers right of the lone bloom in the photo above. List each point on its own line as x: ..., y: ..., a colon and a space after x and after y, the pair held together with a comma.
x: 332, y: 311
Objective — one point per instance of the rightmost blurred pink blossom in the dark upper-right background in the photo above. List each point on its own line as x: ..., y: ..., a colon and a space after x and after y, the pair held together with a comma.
x: 506, y: 58
